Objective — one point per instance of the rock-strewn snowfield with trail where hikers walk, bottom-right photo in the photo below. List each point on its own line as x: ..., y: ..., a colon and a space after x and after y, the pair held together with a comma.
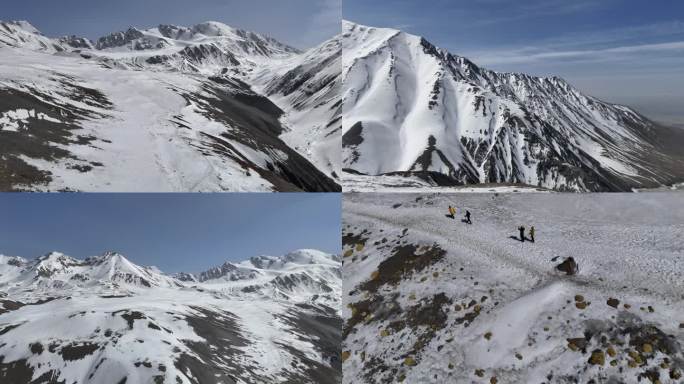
x: 430, y: 299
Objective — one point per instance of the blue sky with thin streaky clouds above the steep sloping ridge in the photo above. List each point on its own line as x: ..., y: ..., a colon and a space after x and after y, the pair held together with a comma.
x: 625, y: 51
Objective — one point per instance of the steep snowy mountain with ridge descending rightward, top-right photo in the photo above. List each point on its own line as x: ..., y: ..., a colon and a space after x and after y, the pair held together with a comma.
x: 413, y: 109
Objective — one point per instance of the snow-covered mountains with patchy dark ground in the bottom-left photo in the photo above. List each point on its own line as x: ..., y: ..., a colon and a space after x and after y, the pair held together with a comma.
x: 105, y: 319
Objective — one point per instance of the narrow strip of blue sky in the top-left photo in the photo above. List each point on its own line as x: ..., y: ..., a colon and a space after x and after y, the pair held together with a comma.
x: 301, y: 23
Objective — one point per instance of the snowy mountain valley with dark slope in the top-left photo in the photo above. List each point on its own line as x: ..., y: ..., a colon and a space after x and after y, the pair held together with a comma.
x: 170, y: 108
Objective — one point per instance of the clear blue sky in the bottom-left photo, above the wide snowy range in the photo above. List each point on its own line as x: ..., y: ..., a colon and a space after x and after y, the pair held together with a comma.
x: 175, y: 232
